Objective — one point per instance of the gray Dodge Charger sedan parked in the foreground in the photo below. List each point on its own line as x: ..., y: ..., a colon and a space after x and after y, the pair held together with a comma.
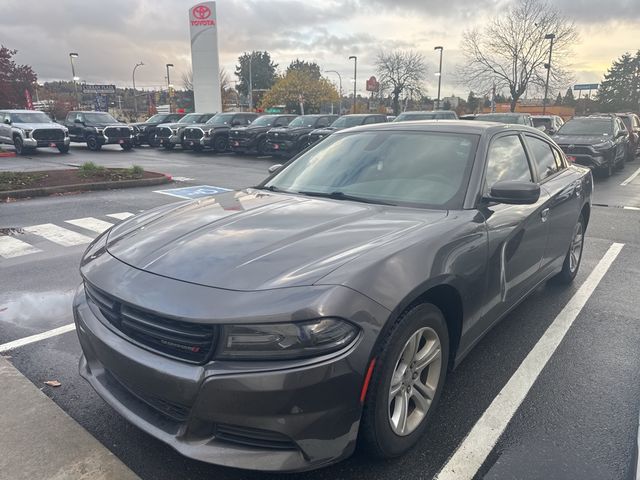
x: 278, y: 327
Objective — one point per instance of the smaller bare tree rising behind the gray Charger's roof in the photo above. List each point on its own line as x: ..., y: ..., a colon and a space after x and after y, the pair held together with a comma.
x: 400, y: 71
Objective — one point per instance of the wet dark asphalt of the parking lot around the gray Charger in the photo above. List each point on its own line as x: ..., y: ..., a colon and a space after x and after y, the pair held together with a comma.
x: 578, y: 421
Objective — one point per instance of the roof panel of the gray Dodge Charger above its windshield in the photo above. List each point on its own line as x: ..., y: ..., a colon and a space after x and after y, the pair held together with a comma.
x: 449, y: 126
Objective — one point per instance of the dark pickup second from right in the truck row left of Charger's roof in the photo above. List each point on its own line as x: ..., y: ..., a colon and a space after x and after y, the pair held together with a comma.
x: 288, y: 141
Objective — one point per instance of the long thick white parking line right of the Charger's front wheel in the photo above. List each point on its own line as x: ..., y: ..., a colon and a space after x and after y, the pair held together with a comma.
x: 478, y: 444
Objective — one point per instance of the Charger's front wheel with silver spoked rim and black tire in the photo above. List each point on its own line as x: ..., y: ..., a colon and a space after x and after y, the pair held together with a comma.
x: 407, y: 382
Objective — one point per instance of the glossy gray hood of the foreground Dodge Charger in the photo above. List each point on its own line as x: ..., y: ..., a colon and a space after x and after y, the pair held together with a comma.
x: 257, y: 240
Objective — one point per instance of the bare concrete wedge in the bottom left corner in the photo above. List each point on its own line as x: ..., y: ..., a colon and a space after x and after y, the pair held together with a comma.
x: 39, y: 440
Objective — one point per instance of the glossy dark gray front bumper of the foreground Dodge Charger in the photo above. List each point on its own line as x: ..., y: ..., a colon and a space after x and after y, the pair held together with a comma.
x: 306, y: 414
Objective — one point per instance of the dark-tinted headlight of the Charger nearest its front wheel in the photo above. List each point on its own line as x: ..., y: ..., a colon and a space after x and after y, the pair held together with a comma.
x: 285, y: 340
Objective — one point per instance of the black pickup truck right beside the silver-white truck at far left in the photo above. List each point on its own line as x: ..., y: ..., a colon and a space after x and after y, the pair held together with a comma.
x: 97, y: 129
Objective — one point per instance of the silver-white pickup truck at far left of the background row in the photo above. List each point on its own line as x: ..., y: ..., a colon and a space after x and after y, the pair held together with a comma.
x: 30, y: 129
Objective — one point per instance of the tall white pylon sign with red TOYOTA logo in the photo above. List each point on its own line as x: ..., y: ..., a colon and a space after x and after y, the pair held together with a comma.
x: 203, y: 27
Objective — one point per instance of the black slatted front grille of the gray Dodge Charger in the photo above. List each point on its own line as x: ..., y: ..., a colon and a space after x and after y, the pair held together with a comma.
x: 190, y: 342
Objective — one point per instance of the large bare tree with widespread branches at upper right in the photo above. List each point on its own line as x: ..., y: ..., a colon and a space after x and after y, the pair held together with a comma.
x: 512, y: 51
